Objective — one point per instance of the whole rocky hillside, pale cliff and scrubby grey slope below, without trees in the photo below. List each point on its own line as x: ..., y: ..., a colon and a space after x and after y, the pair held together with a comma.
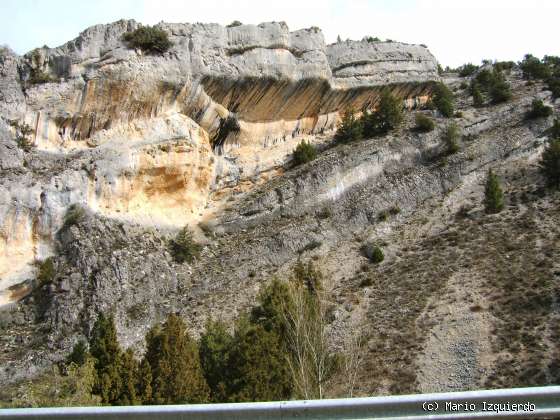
x: 128, y: 148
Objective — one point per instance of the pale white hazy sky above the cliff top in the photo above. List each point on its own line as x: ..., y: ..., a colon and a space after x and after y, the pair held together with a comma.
x: 456, y: 31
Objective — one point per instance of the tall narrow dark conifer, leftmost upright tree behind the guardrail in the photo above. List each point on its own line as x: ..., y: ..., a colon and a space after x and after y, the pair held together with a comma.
x: 107, y: 353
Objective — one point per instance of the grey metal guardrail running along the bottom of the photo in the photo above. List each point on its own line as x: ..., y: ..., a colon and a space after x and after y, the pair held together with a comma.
x: 538, y: 402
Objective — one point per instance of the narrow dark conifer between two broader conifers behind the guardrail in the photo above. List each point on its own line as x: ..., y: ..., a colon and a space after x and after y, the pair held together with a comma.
x: 214, y: 348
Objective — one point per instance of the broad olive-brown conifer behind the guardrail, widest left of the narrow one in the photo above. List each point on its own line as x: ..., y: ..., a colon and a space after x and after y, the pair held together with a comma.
x: 173, y: 357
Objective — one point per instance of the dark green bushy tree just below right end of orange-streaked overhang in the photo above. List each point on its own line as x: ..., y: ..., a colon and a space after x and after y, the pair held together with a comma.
x: 387, y: 116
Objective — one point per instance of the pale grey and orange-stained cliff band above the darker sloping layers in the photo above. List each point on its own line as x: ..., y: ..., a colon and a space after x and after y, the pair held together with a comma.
x: 163, y: 139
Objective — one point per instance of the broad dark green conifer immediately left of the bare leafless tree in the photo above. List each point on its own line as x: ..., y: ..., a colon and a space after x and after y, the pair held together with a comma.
x: 258, y: 365
